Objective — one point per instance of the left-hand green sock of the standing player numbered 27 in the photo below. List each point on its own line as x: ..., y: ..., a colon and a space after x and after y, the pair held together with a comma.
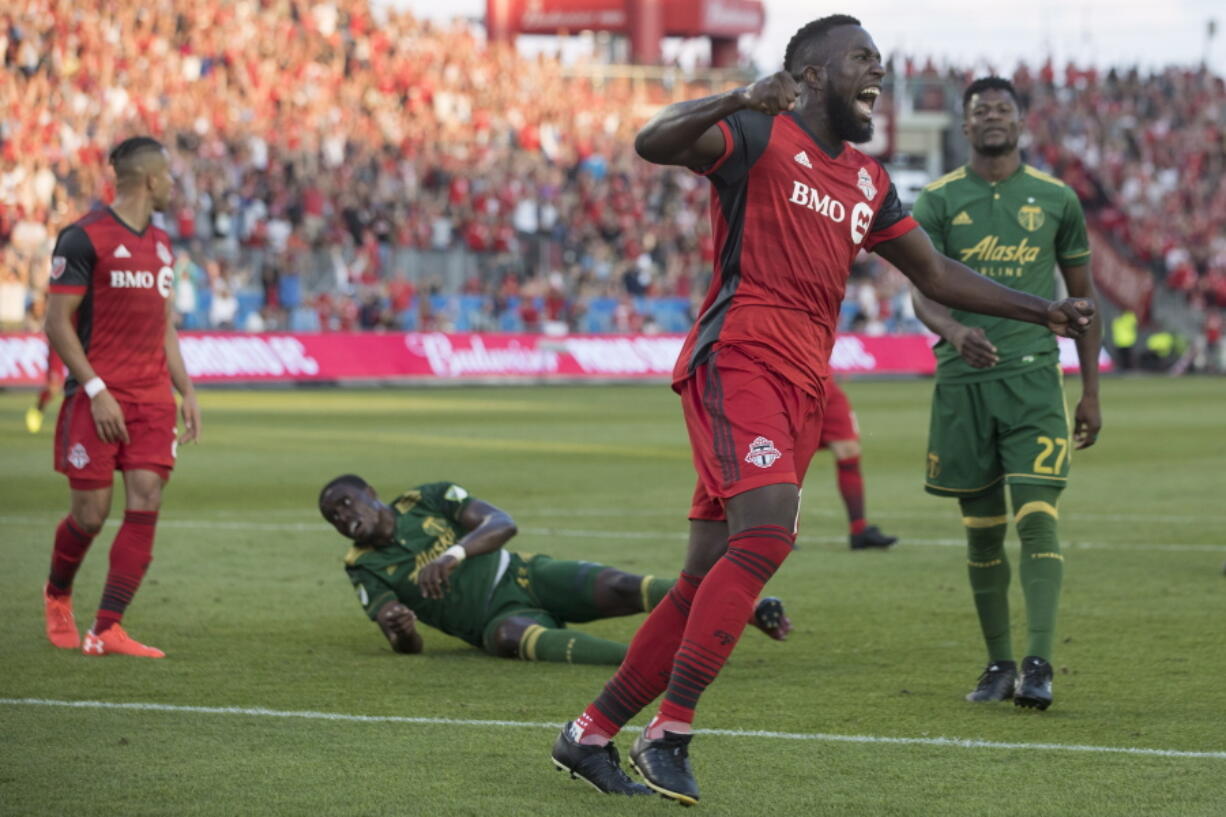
x: 986, y: 521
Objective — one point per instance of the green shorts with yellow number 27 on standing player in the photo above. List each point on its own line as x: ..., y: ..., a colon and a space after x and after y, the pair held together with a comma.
x: 1015, y: 429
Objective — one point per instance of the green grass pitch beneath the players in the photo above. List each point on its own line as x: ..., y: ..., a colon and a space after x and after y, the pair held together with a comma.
x: 248, y: 597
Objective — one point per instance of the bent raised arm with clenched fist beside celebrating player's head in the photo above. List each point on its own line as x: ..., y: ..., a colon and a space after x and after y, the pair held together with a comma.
x: 687, y: 133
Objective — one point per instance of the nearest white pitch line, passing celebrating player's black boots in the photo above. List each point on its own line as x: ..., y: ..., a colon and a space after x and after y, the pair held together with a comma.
x: 954, y: 743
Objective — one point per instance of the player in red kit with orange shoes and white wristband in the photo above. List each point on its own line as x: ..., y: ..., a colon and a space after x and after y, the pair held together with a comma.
x: 110, y: 320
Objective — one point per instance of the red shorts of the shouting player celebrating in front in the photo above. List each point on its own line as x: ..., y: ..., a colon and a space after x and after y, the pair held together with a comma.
x: 748, y: 428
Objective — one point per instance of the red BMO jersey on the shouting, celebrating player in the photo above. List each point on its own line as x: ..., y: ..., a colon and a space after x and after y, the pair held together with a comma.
x: 789, y: 219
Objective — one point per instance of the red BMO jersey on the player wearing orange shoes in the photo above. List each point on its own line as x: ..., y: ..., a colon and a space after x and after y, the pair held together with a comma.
x: 126, y: 278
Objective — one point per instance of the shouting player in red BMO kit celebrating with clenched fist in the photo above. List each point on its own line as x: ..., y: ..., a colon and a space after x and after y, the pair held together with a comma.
x: 793, y: 204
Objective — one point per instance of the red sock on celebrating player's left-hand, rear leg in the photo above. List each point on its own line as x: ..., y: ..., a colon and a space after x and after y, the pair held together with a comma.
x: 644, y: 673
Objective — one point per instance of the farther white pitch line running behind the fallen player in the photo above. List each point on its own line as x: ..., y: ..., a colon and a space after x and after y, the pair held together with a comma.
x: 569, y: 533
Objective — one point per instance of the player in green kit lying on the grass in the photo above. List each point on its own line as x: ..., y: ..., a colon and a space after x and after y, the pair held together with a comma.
x: 436, y: 556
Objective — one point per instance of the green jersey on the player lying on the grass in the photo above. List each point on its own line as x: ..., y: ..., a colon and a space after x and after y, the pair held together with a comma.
x: 427, y: 524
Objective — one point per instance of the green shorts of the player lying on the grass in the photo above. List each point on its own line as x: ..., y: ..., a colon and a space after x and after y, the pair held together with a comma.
x: 546, y: 591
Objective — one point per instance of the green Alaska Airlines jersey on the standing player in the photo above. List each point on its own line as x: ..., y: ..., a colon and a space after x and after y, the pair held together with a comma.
x: 1015, y: 232
